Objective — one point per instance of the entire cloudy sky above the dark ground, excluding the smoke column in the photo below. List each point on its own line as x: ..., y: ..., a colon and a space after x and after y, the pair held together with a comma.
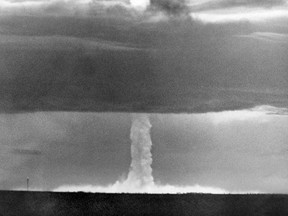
x: 212, y: 75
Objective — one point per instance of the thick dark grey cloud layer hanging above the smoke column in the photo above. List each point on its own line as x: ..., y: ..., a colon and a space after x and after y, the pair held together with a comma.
x: 111, y: 63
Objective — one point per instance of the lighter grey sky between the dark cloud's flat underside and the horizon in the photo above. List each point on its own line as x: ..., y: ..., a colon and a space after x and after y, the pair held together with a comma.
x: 236, y: 151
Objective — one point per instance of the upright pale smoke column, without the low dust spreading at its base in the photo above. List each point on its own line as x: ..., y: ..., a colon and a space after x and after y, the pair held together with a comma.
x: 140, y: 174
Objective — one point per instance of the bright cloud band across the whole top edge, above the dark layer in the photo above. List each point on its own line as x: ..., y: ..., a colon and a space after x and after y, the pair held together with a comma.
x: 205, y: 10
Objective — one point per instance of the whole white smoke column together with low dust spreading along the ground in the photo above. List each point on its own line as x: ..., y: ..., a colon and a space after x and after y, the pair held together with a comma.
x: 140, y: 178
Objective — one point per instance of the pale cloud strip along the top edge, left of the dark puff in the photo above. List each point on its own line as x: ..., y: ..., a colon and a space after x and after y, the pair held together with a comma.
x: 67, y: 7
